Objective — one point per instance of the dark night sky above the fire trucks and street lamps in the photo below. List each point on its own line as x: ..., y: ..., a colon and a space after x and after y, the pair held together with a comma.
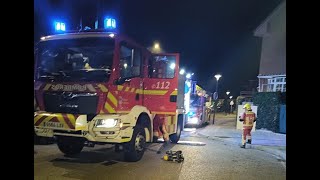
x: 212, y: 36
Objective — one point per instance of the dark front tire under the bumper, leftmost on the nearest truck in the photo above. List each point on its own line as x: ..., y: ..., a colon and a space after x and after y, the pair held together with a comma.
x: 70, y: 145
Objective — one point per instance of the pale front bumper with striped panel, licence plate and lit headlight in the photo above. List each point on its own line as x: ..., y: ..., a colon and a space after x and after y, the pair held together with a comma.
x: 102, y: 128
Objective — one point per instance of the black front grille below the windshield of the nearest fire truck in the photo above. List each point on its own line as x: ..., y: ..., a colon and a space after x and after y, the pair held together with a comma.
x: 69, y: 102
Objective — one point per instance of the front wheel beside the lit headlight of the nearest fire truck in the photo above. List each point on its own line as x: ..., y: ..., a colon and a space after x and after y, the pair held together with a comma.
x: 134, y: 149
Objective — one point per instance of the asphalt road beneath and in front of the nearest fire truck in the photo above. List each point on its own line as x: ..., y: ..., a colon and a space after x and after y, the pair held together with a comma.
x: 204, y: 159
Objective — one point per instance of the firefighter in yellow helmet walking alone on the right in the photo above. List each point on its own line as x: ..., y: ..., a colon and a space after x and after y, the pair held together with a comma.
x: 248, y: 118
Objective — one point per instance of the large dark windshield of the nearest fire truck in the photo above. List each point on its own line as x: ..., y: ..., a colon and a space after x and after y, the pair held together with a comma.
x: 79, y: 59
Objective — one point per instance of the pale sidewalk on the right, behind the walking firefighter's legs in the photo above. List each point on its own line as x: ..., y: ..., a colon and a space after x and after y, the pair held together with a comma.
x: 224, y: 129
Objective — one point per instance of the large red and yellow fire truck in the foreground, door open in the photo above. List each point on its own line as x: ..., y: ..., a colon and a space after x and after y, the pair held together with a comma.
x: 95, y: 86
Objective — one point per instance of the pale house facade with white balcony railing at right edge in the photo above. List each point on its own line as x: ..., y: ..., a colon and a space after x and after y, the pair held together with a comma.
x: 272, y: 70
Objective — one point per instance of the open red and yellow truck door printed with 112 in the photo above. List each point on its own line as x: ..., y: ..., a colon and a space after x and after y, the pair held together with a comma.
x: 160, y: 87
